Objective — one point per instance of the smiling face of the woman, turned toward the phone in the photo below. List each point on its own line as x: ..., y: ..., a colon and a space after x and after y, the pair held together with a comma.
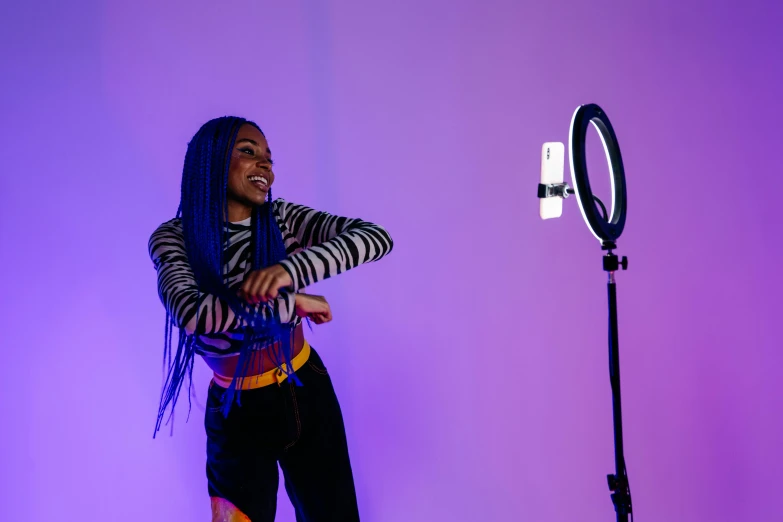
x: 250, y: 174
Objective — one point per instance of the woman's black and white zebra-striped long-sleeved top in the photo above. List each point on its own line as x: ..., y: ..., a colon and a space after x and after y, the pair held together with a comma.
x: 319, y: 245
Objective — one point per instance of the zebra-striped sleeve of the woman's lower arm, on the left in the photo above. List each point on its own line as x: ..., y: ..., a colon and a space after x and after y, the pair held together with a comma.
x: 180, y: 295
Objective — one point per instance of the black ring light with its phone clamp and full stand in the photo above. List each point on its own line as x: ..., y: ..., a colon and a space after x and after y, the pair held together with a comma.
x: 607, y: 229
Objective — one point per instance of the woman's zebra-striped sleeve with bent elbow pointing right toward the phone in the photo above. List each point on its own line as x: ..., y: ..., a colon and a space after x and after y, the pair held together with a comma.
x: 332, y: 244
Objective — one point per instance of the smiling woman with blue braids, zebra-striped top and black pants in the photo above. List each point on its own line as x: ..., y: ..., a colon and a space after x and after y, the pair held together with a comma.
x: 229, y: 275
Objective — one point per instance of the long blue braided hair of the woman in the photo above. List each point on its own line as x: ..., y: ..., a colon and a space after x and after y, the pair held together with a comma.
x: 204, y: 213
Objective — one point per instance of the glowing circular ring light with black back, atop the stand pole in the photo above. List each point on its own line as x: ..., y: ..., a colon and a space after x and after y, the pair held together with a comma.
x: 602, y: 229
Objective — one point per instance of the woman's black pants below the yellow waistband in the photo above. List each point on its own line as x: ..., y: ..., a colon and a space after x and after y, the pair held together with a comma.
x: 301, y: 427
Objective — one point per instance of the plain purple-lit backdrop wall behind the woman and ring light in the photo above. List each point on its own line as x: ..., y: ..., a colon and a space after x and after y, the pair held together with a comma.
x: 471, y: 363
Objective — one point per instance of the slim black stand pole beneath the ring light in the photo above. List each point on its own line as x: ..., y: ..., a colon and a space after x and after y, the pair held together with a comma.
x: 618, y: 483
